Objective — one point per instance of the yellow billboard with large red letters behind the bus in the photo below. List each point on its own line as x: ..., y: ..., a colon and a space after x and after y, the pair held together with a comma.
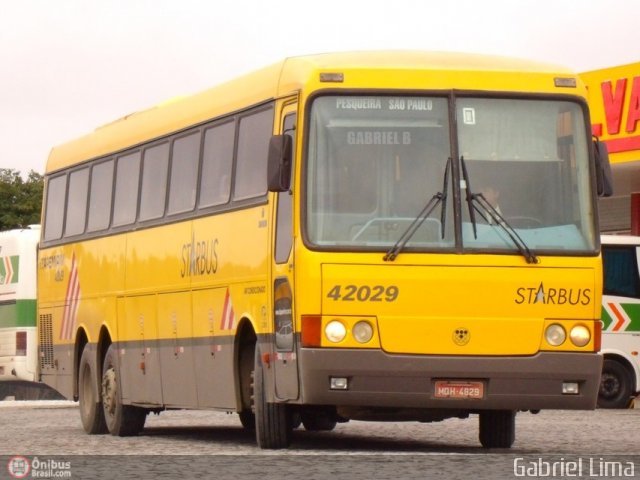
x: 614, y: 98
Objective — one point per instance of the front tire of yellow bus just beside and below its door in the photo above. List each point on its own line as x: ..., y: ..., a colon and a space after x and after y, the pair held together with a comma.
x: 273, y: 422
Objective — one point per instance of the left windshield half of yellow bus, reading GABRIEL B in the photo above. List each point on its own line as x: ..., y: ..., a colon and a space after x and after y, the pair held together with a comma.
x: 373, y: 164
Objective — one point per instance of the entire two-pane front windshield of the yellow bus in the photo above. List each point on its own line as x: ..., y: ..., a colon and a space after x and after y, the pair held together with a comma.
x: 375, y: 162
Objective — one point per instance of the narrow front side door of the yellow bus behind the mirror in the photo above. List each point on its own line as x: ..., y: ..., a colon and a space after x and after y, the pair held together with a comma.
x: 284, y: 354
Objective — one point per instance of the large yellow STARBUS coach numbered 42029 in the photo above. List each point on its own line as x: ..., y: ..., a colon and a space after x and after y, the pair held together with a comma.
x: 350, y: 236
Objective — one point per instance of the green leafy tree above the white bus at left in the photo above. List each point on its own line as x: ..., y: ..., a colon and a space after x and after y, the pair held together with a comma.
x: 20, y: 200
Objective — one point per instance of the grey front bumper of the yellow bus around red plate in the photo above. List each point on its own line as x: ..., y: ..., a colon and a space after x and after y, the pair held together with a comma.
x: 377, y: 379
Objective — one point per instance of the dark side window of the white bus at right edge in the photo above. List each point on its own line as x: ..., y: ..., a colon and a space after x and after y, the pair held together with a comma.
x: 620, y: 271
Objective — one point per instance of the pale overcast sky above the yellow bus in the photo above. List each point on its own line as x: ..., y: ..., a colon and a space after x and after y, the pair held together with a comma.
x: 68, y: 66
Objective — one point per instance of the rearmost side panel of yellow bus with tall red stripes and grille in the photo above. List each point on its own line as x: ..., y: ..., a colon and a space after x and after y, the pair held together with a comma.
x: 76, y: 287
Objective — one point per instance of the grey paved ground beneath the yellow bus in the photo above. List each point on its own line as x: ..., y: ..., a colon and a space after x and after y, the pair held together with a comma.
x: 203, y: 444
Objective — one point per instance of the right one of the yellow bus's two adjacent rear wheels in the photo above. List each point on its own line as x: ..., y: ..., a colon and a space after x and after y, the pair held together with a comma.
x: 121, y: 420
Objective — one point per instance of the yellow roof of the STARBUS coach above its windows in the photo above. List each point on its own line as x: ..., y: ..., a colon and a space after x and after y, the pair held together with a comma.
x: 412, y: 70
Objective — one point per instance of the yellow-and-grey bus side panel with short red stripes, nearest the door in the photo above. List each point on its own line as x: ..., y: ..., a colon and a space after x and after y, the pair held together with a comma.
x: 231, y: 256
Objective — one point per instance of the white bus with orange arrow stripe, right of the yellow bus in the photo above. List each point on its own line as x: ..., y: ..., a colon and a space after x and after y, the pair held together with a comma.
x: 620, y: 381
